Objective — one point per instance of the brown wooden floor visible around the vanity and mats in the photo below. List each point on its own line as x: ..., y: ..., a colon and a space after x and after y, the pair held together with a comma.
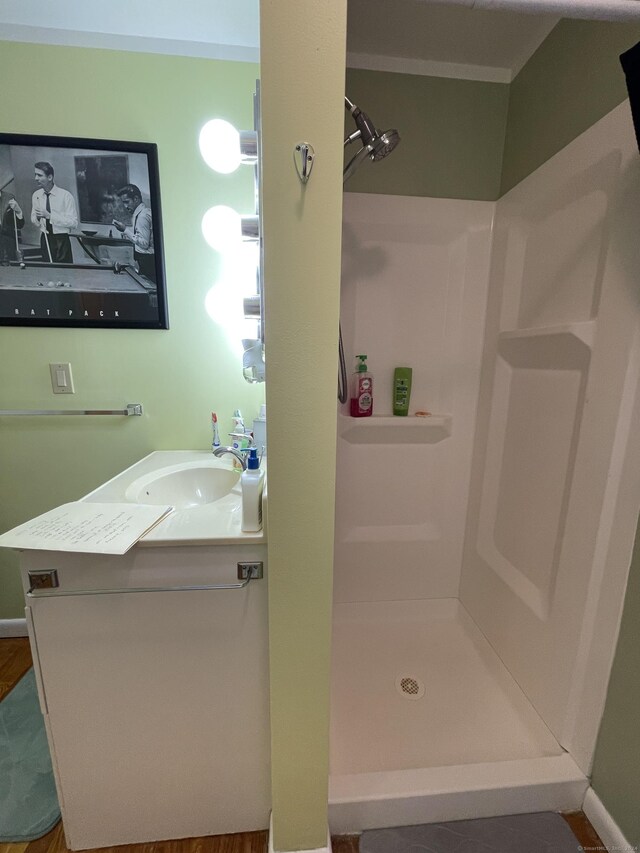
x: 15, y: 660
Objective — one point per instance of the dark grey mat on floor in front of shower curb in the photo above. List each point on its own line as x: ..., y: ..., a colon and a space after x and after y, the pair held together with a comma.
x: 544, y: 832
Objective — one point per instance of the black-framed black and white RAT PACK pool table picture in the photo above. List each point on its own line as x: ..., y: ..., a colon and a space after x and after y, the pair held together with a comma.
x: 81, y: 233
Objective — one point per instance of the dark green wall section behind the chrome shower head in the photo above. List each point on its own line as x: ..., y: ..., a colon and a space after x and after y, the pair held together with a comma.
x: 452, y: 134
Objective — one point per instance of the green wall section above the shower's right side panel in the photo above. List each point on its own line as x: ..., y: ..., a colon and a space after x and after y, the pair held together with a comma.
x: 571, y: 81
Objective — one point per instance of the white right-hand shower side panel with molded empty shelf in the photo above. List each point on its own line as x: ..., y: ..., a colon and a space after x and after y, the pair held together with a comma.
x: 555, y: 494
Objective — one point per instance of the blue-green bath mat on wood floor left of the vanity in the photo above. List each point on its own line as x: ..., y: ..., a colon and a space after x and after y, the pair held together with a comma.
x: 28, y: 801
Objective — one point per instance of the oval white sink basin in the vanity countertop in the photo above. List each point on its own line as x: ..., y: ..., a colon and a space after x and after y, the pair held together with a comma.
x: 184, y: 486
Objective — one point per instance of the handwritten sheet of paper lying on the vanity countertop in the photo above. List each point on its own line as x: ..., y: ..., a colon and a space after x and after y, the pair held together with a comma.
x: 94, y: 528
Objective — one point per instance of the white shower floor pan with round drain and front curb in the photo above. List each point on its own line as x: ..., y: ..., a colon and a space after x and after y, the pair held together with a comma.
x: 428, y: 725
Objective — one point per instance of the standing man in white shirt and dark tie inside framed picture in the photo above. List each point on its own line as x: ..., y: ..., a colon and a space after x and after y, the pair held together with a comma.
x: 53, y: 211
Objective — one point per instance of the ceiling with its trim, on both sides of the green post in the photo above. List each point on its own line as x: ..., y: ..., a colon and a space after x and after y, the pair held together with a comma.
x: 410, y: 36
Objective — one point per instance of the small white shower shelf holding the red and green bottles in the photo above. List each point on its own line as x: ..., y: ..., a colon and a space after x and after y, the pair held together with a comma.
x: 387, y: 429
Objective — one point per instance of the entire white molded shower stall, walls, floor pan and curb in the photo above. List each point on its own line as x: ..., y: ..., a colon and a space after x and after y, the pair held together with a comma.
x: 482, y: 552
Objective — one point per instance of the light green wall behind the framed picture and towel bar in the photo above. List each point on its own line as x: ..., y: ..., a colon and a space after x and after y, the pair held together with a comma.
x: 180, y: 375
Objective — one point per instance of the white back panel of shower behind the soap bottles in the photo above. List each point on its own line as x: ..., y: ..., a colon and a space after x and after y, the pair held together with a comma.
x: 414, y: 287
